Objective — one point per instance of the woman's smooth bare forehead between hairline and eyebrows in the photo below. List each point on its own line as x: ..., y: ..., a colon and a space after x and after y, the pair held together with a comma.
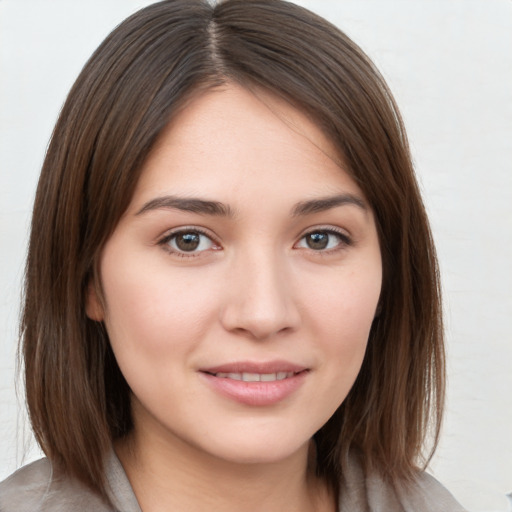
x: 229, y: 139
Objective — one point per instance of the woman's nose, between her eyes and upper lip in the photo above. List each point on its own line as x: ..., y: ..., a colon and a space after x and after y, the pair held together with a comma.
x: 260, y: 298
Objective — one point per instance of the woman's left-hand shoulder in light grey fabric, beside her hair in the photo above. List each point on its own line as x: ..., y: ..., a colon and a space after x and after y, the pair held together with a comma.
x: 35, y: 488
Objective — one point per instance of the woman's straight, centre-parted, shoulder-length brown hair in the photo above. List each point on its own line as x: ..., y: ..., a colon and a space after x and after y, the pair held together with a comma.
x: 126, y: 94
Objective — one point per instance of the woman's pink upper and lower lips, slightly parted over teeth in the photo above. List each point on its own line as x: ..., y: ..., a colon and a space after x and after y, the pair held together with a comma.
x: 259, y: 393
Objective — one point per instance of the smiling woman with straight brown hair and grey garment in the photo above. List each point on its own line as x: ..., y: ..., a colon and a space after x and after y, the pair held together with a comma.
x: 232, y: 298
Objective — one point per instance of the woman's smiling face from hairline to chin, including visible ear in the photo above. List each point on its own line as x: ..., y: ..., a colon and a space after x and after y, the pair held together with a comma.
x: 241, y: 283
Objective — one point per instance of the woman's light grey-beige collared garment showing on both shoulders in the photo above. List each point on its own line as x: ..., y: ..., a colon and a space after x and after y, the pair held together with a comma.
x: 34, y: 489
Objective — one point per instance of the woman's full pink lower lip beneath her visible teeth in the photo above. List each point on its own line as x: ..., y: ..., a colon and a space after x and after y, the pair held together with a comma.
x: 256, y: 393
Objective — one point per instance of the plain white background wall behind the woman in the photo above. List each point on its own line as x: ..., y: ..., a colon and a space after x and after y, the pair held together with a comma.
x: 449, y: 63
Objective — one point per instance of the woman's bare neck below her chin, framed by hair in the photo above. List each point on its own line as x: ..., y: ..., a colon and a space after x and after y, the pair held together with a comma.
x: 178, y: 476
